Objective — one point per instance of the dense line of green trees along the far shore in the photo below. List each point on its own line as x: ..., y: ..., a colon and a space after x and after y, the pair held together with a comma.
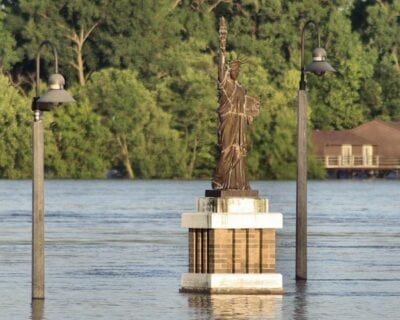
x: 144, y: 77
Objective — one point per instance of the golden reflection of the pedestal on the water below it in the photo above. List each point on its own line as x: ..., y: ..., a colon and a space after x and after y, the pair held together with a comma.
x: 236, y: 306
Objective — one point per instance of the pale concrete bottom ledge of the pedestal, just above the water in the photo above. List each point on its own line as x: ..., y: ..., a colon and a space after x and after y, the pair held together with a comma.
x: 232, y: 283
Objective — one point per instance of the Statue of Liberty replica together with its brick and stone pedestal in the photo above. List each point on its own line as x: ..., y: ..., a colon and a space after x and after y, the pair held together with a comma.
x: 231, y: 237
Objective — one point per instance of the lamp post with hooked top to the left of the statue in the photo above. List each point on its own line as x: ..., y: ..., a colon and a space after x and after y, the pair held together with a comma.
x: 55, y: 95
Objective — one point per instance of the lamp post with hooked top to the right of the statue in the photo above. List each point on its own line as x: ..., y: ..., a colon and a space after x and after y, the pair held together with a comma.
x: 319, y: 66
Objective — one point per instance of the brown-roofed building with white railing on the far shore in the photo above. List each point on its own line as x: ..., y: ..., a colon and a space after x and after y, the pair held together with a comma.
x: 372, y: 148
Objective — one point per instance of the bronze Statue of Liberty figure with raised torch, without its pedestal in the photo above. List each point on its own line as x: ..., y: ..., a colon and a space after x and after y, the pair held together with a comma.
x: 235, y: 111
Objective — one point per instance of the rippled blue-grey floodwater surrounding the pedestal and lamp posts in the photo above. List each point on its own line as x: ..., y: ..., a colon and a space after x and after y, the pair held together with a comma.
x: 115, y: 250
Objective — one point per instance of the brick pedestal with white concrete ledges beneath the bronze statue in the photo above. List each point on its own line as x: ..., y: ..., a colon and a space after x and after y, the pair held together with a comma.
x: 232, y: 247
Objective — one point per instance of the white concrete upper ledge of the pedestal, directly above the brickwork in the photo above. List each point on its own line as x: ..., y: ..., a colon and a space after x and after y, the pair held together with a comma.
x: 201, y: 220
